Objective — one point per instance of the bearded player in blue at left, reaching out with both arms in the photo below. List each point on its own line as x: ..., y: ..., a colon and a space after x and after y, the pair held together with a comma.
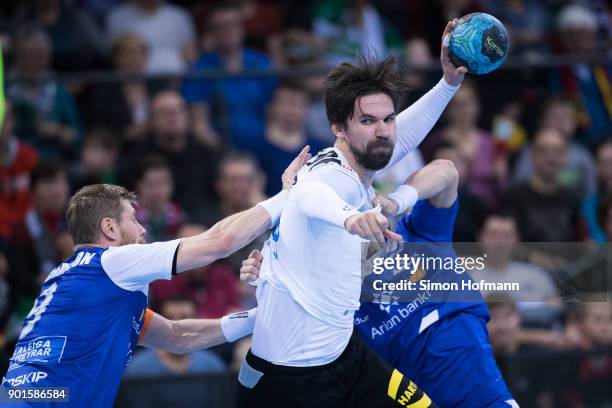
x: 92, y: 310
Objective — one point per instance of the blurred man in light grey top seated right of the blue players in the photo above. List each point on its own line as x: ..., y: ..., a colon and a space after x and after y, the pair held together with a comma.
x: 498, y: 238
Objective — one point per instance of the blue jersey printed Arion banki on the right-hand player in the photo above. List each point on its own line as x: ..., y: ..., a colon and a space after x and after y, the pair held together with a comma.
x: 389, y: 328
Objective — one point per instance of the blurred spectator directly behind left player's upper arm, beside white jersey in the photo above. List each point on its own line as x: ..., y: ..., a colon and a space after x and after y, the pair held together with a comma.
x: 239, y: 185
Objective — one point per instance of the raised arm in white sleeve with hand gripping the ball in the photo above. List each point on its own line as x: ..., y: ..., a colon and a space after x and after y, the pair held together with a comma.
x: 416, y: 121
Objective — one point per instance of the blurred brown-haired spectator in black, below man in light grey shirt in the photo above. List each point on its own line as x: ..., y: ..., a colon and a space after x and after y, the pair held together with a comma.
x: 127, y: 115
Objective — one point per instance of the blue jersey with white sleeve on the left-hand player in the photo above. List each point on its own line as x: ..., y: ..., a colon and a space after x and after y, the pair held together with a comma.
x: 85, y: 324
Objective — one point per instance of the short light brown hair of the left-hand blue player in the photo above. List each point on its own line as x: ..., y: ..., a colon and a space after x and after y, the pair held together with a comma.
x: 89, y: 205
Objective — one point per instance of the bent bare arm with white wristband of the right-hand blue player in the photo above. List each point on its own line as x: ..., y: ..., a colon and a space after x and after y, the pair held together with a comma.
x: 437, y: 181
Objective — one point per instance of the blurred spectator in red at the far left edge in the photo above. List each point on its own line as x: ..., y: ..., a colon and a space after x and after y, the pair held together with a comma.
x: 17, y: 160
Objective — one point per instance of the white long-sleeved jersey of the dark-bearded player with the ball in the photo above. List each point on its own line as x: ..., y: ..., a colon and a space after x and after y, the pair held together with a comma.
x: 311, y: 275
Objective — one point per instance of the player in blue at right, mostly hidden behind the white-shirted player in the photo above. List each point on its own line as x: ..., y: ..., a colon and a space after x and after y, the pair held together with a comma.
x: 441, y: 344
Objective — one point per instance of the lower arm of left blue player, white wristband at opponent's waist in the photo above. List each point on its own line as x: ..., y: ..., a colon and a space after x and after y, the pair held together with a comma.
x: 184, y: 336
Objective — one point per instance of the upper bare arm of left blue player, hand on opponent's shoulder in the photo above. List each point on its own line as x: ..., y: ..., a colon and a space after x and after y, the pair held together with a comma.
x: 236, y: 231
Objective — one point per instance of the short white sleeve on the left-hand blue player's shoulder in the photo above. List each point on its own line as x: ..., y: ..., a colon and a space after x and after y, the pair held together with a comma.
x: 133, y: 267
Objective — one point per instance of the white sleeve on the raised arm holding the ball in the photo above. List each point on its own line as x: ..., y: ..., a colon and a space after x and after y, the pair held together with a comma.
x: 415, y: 122
